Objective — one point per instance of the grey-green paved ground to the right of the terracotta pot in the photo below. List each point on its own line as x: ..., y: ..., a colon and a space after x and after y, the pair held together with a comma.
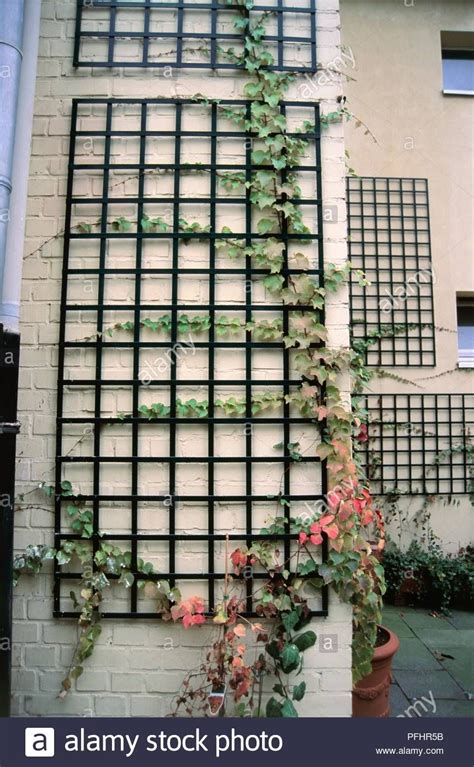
x: 434, y: 667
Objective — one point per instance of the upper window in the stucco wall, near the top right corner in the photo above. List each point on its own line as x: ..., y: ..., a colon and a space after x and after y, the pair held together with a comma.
x: 458, y: 62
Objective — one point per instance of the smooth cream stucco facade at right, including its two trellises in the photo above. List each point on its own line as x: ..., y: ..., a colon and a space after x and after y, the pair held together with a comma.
x: 418, y: 107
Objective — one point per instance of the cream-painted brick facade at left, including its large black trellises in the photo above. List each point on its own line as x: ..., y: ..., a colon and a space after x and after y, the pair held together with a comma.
x: 126, y: 119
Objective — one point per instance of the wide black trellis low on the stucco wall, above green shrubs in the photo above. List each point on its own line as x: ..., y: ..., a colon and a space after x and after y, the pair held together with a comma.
x: 420, y: 444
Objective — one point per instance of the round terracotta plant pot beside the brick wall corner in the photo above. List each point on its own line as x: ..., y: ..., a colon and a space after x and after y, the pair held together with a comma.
x: 370, y: 696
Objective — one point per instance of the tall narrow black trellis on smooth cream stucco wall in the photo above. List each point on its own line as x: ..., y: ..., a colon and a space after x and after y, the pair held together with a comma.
x: 389, y: 239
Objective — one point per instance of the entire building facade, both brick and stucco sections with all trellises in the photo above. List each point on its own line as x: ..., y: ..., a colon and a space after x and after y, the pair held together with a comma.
x: 396, y: 189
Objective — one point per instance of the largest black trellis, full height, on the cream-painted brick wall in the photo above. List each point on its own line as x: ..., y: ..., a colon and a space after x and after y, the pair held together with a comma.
x: 99, y: 255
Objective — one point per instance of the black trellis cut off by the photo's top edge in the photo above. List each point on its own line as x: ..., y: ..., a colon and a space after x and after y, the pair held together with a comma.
x: 187, y: 34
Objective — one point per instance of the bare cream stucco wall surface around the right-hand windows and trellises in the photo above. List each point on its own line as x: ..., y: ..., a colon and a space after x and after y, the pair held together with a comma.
x: 394, y: 86
